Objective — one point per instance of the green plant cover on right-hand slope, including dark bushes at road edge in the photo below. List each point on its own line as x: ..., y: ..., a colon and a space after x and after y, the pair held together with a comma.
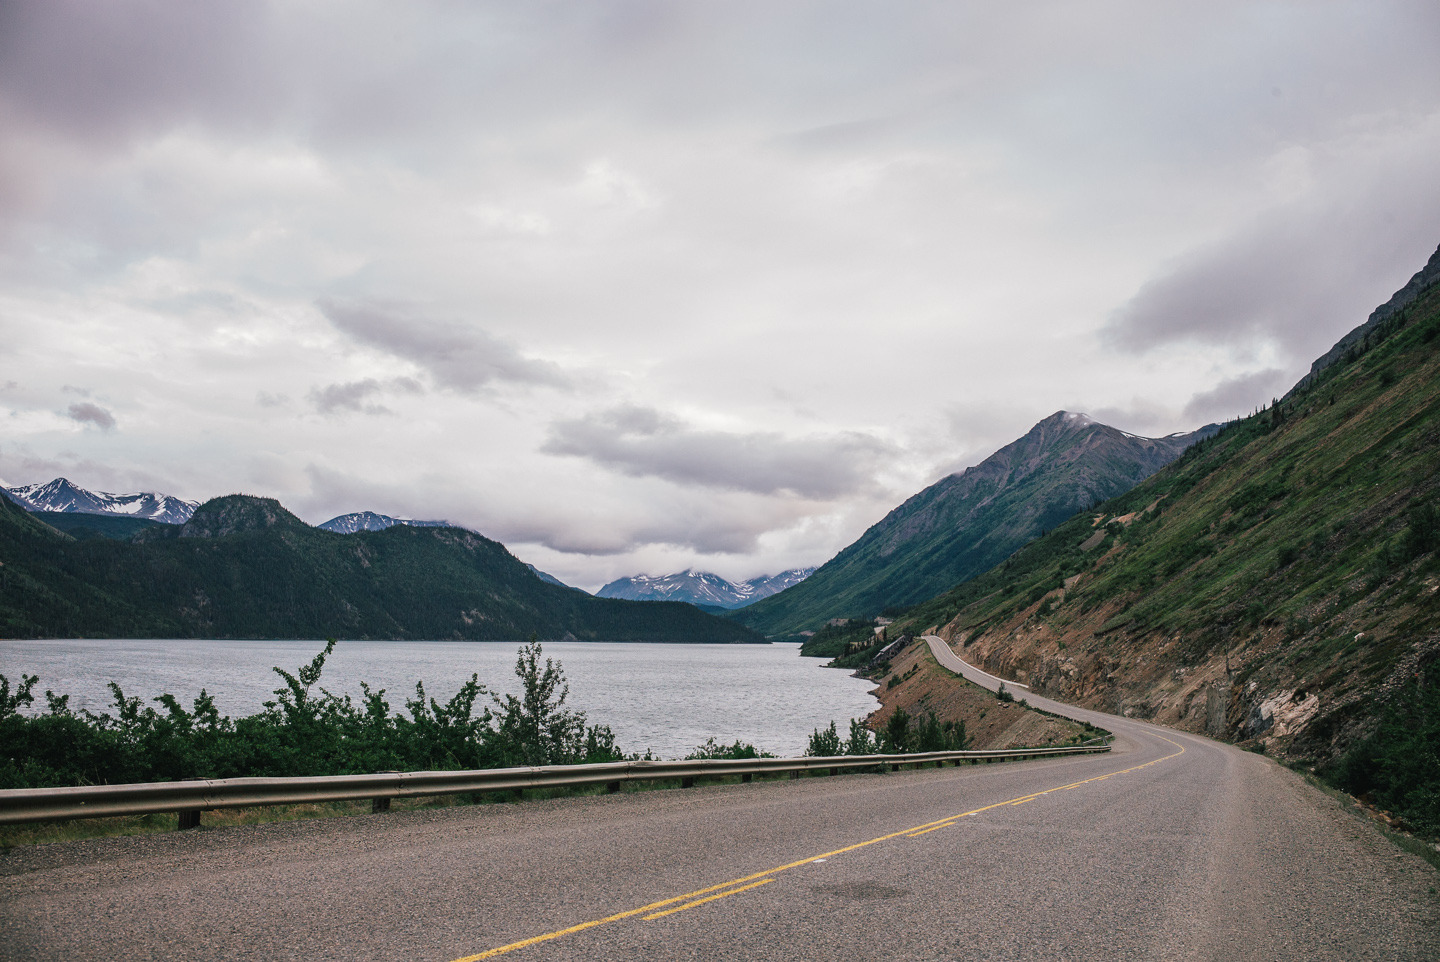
x: 1302, y: 542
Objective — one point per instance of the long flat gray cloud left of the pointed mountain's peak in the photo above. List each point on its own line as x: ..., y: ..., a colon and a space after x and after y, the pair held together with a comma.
x: 646, y: 443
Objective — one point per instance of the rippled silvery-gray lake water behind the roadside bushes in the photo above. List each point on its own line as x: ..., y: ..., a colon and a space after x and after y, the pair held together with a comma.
x: 667, y: 699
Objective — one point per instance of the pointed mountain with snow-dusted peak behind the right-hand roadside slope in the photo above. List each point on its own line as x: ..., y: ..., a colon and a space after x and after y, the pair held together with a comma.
x: 970, y: 522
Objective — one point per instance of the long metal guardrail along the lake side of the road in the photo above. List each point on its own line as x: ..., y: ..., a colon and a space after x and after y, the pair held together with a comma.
x: 191, y: 799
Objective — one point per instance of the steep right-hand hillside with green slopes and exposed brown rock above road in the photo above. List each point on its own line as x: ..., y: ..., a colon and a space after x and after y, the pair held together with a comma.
x: 1279, y: 584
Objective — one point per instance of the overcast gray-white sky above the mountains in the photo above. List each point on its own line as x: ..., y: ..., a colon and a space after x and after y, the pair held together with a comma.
x: 636, y: 287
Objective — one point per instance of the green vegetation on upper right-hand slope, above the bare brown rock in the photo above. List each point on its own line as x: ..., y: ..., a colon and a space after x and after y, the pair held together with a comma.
x: 1317, y: 518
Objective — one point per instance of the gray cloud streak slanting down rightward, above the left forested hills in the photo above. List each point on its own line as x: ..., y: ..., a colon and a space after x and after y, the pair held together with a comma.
x: 462, y: 358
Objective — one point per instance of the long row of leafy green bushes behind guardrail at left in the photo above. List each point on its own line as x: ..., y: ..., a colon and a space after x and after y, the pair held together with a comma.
x: 306, y: 731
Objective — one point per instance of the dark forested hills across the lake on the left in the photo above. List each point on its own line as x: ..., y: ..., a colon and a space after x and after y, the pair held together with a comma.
x: 246, y: 568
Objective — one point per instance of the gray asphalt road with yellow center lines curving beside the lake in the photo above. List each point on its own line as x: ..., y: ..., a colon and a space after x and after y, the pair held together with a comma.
x: 1171, y: 848
